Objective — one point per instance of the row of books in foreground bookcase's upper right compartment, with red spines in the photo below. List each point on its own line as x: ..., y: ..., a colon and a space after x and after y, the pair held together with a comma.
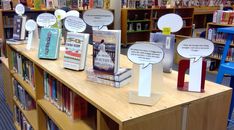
x: 63, y: 98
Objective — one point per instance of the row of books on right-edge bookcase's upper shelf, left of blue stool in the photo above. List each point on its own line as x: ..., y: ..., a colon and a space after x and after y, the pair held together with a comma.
x: 215, y: 36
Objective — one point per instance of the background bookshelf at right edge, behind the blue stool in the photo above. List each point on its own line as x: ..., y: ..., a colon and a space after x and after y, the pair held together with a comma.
x: 219, y: 41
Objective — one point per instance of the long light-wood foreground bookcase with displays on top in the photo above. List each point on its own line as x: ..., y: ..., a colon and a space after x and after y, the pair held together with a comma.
x: 109, y: 109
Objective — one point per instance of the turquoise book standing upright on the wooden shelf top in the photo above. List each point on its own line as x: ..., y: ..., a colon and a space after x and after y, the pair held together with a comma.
x: 49, y: 44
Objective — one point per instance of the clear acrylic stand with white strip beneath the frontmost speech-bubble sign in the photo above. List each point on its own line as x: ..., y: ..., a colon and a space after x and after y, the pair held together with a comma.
x: 146, y: 91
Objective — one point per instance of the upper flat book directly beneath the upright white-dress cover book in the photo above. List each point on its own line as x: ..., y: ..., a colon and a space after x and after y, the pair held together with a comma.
x: 121, y: 75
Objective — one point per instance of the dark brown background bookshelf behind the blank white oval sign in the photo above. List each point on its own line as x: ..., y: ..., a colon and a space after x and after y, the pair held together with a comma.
x: 147, y: 19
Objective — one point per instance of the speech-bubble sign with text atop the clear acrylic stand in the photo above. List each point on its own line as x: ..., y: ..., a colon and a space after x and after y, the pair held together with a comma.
x: 145, y: 54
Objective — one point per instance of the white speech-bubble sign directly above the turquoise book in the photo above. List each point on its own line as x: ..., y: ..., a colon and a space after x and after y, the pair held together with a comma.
x: 46, y: 19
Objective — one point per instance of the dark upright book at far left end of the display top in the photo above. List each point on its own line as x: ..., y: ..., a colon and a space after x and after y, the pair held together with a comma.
x: 19, y: 27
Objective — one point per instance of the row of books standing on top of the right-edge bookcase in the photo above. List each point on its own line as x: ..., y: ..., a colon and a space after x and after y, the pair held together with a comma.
x: 223, y: 17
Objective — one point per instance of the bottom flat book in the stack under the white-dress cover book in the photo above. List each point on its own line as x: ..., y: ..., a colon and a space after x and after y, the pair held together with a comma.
x: 116, y: 84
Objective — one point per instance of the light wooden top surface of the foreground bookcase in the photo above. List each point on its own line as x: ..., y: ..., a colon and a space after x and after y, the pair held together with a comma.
x: 114, y: 101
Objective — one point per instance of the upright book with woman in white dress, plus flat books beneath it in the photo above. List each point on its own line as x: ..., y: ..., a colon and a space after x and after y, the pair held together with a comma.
x: 106, y: 52
